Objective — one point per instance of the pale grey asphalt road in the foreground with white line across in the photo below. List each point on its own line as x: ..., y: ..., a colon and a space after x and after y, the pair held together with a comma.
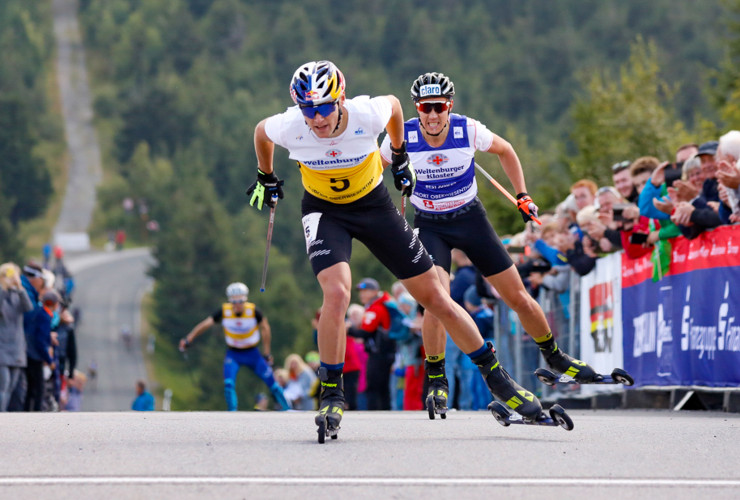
x: 610, y: 454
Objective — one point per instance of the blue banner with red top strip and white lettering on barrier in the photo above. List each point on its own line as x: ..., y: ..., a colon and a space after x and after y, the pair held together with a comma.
x: 685, y: 328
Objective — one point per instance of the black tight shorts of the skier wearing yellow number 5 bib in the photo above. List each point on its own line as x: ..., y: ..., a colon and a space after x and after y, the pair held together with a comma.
x: 374, y: 220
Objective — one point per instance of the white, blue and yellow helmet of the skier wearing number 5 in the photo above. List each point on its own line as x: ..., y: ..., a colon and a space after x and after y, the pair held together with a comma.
x: 316, y: 82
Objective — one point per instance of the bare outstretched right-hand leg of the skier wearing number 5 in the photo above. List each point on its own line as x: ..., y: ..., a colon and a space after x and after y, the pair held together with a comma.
x: 427, y: 289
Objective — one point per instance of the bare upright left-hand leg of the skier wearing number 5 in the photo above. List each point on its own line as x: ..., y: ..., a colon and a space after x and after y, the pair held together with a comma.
x: 336, y: 285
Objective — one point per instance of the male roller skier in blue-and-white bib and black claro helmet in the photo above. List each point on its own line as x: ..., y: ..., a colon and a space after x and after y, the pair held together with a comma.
x: 448, y: 214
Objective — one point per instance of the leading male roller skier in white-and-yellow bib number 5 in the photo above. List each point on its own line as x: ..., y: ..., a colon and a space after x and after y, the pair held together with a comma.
x: 334, y: 141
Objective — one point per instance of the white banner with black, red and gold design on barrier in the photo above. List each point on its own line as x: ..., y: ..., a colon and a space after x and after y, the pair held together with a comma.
x: 601, y: 319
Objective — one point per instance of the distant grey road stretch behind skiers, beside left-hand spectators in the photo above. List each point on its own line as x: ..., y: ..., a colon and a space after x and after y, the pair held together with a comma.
x: 109, y: 287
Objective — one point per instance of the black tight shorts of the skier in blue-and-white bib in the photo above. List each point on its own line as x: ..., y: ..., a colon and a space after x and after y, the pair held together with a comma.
x: 466, y: 229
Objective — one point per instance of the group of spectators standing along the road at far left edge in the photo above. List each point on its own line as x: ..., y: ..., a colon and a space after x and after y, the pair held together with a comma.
x: 38, y: 350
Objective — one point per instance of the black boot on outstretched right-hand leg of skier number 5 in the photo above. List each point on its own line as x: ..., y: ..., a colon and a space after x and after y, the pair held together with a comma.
x: 503, y: 387
